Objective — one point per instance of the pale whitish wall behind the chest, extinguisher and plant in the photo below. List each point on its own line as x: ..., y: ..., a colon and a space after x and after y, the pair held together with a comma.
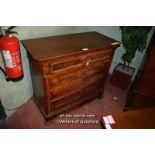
x: 15, y: 94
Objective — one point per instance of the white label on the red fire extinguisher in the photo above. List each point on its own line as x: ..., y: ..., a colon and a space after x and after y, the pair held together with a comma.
x: 7, y: 58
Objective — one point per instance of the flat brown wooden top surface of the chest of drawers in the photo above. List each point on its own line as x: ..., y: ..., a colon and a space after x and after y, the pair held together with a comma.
x: 55, y: 46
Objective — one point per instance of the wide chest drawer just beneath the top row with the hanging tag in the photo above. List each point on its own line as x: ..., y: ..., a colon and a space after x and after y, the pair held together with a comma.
x: 58, y: 82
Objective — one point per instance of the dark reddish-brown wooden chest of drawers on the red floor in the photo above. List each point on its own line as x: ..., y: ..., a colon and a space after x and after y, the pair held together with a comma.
x: 68, y: 70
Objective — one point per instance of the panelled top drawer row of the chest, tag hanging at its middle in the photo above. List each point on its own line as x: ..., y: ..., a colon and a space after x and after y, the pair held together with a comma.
x: 71, y: 64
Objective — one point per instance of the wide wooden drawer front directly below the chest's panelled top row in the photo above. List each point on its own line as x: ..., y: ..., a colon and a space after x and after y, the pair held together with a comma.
x: 63, y: 82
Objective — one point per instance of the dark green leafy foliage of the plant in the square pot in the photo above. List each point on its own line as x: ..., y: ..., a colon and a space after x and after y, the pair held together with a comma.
x: 133, y: 39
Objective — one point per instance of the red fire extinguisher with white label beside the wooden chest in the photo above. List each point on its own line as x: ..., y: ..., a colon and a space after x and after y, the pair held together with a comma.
x: 9, y: 46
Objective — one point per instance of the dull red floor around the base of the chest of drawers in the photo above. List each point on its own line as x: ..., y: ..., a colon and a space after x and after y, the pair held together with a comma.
x: 87, y: 116
